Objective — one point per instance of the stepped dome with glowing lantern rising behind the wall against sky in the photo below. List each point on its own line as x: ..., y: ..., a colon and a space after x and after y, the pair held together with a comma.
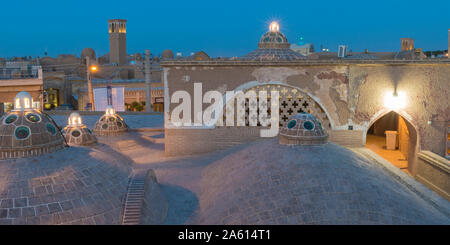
x: 273, y: 45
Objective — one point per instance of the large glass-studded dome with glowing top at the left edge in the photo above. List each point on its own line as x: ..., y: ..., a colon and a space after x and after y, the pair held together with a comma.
x: 27, y: 132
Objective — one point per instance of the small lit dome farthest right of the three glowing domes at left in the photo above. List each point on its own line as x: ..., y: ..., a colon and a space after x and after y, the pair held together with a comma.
x: 110, y: 123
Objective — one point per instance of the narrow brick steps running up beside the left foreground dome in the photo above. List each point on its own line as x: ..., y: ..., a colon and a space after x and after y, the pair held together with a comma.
x: 134, y: 201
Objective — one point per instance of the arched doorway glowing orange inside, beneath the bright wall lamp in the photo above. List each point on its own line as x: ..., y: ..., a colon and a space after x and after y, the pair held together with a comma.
x: 395, y: 139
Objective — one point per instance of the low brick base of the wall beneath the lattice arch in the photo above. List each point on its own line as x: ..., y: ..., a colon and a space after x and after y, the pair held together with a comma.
x: 198, y: 141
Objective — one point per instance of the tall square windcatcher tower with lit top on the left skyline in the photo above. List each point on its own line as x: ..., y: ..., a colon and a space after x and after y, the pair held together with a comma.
x: 118, y: 41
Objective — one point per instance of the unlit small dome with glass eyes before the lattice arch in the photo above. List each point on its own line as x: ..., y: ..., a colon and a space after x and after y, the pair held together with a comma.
x: 303, y: 129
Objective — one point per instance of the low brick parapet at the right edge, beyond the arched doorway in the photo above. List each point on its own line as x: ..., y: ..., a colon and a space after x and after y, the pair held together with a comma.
x: 434, y: 172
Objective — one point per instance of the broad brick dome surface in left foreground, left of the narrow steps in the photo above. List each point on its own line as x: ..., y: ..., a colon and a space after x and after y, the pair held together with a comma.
x: 77, y: 185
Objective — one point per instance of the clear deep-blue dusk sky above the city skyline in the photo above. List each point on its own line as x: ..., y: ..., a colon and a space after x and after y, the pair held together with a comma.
x: 220, y: 28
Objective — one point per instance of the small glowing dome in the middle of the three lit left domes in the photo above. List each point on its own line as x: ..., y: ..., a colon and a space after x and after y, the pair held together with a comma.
x: 76, y: 133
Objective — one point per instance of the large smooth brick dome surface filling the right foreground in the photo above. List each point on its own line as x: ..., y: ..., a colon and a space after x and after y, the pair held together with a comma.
x: 269, y: 183
